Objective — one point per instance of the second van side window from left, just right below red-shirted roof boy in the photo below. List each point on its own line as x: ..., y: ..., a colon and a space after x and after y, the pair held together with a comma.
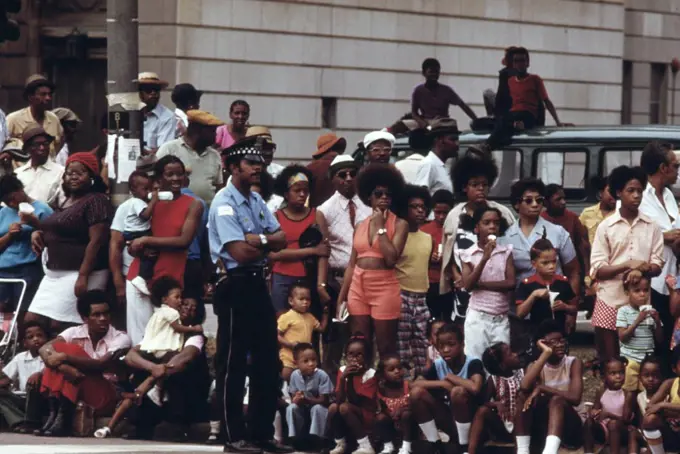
x: 566, y: 167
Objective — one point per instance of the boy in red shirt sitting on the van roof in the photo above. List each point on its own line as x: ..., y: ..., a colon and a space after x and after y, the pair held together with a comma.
x: 528, y: 93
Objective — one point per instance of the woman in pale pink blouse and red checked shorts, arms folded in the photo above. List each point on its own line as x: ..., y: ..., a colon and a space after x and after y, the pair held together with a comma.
x: 624, y: 241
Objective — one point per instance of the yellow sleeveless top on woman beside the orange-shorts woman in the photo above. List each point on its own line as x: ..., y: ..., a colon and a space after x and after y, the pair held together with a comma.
x: 414, y: 263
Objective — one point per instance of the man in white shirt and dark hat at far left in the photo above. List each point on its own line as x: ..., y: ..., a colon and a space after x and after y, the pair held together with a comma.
x: 42, y: 177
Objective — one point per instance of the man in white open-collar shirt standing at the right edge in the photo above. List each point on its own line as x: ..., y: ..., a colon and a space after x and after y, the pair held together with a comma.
x: 658, y: 203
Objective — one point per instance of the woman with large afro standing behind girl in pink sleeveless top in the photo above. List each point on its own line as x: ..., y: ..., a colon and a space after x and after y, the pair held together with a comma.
x: 473, y: 175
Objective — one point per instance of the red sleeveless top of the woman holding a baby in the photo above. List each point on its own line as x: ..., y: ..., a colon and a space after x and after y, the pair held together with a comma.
x: 167, y: 220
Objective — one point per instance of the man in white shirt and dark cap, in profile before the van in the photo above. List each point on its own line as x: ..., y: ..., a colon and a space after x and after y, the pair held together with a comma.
x: 433, y: 173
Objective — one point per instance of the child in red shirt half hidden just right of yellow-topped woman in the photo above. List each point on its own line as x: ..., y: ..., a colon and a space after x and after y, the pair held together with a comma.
x: 440, y: 306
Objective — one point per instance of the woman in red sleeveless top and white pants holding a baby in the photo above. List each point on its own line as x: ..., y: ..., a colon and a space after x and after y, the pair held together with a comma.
x: 173, y: 224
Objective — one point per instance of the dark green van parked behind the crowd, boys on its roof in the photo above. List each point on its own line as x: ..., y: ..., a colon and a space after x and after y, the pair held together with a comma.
x: 567, y: 156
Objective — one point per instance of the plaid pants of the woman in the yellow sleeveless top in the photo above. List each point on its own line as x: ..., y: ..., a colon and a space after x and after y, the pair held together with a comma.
x: 412, y: 331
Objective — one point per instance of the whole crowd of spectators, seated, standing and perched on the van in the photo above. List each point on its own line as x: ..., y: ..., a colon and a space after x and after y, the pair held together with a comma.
x: 362, y: 307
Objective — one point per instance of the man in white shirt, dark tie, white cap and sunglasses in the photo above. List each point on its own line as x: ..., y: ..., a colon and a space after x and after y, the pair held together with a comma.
x: 342, y: 213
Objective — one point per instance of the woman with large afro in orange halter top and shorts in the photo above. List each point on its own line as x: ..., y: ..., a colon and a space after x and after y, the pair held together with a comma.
x: 370, y: 286
